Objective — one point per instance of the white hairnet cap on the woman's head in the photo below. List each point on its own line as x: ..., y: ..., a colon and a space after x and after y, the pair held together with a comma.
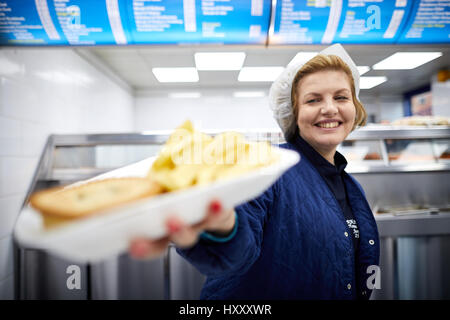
x: 280, y: 91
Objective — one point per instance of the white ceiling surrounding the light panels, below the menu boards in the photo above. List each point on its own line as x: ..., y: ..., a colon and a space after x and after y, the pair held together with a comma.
x: 134, y: 65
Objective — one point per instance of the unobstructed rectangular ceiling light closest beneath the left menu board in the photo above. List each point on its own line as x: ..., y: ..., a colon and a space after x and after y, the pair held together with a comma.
x: 219, y: 60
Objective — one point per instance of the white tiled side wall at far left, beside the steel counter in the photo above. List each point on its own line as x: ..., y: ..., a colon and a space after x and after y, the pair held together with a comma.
x: 45, y: 91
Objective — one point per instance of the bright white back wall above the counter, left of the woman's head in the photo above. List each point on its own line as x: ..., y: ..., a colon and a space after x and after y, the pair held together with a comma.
x: 215, y: 110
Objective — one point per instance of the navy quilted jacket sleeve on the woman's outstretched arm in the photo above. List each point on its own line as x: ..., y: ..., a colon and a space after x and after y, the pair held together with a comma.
x: 239, y: 253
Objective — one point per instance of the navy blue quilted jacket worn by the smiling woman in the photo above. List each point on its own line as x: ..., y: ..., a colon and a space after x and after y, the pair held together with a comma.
x: 292, y: 242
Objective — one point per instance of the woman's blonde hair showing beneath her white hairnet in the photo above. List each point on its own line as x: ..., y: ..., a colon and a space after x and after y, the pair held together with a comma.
x: 323, y: 63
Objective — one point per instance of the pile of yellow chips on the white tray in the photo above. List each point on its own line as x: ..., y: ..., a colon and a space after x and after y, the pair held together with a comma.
x: 192, y: 158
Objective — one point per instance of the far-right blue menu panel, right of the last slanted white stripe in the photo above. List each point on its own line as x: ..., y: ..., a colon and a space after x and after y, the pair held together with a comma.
x: 429, y: 23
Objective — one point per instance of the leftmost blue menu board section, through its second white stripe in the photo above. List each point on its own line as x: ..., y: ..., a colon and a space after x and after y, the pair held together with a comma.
x: 60, y: 22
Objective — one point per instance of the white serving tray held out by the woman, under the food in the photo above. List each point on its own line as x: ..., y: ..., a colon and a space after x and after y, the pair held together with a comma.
x: 103, y: 236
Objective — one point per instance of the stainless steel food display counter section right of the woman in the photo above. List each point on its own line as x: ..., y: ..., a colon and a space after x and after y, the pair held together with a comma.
x: 405, y: 173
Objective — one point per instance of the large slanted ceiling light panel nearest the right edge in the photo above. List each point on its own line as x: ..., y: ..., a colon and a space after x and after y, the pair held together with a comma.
x: 406, y: 60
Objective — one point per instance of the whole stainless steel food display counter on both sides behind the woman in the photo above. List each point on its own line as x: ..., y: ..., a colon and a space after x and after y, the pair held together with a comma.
x: 405, y: 172
